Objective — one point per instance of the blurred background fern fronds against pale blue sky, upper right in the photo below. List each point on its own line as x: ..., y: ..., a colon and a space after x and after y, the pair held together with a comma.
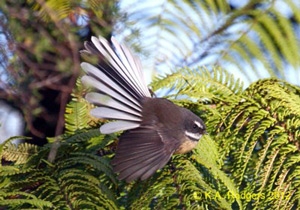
x: 256, y: 39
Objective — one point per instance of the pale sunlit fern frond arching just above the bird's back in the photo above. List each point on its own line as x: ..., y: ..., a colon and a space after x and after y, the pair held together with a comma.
x: 214, y: 85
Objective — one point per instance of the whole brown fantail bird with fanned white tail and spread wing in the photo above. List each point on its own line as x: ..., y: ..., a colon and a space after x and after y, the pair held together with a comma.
x: 155, y: 128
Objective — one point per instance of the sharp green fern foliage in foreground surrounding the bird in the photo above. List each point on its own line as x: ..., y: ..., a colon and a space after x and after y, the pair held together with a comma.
x: 249, y: 160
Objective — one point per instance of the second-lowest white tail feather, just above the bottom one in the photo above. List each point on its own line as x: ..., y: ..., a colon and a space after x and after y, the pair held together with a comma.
x: 108, y: 113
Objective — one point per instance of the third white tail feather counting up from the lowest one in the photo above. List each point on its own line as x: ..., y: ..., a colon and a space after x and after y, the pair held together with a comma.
x: 98, y: 98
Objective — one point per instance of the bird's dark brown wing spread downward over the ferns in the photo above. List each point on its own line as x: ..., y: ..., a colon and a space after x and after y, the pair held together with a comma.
x: 141, y: 152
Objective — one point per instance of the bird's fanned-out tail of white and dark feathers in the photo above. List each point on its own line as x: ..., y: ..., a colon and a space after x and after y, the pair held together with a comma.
x: 119, y: 84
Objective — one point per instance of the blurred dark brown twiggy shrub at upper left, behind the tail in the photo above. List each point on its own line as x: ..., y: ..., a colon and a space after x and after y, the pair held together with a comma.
x: 40, y: 59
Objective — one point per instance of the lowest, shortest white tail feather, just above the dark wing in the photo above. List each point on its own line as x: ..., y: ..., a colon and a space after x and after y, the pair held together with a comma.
x: 117, y: 126
